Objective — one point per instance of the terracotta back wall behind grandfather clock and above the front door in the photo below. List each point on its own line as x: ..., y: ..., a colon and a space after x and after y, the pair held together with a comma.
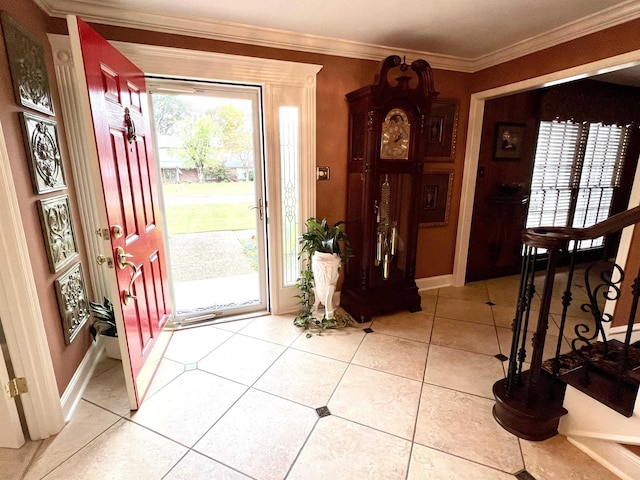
x: 337, y: 77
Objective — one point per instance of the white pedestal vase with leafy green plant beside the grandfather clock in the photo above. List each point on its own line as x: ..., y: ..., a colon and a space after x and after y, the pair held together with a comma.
x: 324, y: 248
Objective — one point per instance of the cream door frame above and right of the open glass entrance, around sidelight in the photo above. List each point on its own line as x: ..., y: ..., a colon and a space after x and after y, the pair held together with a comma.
x: 284, y: 84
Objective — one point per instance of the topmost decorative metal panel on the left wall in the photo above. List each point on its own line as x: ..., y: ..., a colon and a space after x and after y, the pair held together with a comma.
x: 28, y: 69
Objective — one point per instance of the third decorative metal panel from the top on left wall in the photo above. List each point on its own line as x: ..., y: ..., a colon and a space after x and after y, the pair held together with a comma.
x: 57, y: 228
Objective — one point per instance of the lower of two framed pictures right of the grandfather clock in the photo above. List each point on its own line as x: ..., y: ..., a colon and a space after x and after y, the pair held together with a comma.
x: 435, y: 198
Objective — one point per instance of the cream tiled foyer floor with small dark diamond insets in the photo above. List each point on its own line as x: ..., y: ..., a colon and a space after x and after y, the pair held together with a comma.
x: 411, y: 400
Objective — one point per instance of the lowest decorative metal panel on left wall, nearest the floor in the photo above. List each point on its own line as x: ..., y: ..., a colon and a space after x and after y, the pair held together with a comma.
x: 72, y: 301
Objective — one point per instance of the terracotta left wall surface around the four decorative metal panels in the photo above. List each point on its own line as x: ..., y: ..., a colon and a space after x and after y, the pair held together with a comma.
x: 66, y: 359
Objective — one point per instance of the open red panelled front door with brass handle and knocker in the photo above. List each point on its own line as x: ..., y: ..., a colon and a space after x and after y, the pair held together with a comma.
x: 119, y: 109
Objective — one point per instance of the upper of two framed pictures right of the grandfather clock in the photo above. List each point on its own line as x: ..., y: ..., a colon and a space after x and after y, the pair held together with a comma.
x: 442, y: 130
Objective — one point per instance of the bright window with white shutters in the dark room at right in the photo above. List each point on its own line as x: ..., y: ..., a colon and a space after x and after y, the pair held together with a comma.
x: 576, y: 170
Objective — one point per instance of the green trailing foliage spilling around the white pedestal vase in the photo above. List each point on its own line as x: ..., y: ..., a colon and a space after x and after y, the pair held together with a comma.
x: 319, y: 237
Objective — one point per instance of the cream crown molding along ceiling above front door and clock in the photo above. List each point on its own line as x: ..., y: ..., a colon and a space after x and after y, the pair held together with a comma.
x: 94, y: 11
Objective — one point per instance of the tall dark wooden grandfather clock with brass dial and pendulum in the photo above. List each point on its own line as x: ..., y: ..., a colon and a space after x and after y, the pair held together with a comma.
x: 387, y: 131
